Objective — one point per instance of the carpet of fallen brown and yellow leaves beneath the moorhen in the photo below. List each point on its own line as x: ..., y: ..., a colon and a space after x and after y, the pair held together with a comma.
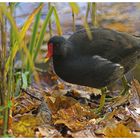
x: 63, y: 113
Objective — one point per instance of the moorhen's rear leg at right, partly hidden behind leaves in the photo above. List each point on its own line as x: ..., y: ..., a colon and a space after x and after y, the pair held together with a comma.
x: 125, y: 85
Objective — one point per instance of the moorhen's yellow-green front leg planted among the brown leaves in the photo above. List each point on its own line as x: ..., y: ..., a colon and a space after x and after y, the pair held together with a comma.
x: 102, y: 99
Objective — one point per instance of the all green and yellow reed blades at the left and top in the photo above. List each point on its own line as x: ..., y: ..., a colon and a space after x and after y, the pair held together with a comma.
x: 16, y: 80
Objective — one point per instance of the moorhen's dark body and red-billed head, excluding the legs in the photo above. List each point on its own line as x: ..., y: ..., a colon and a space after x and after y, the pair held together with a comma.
x: 96, y: 62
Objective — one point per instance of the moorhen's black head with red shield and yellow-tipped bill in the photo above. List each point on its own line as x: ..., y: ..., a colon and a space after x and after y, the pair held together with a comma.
x: 55, y: 46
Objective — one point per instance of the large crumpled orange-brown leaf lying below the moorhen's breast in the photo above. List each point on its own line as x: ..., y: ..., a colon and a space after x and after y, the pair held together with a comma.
x: 71, y: 113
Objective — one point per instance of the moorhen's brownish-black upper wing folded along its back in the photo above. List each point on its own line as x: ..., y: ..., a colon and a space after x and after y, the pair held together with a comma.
x: 107, y: 43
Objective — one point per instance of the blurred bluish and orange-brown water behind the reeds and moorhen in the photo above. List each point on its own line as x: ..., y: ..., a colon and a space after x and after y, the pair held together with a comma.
x: 118, y: 16
